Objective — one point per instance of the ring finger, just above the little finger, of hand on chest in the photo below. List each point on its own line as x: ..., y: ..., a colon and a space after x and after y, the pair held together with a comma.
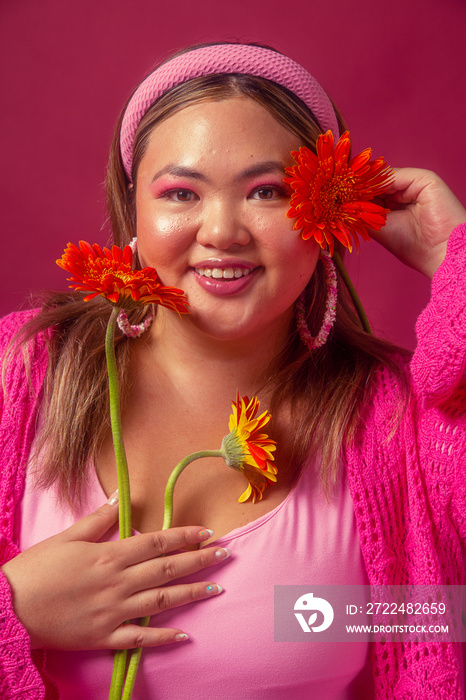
x: 157, y: 600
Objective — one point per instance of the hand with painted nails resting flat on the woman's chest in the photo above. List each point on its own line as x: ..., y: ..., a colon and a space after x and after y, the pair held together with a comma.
x: 73, y: 592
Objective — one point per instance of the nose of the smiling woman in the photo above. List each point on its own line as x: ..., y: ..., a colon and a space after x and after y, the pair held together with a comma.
x: 222, y: 225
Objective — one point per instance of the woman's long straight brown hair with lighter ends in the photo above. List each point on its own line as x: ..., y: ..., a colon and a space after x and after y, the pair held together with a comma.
x: 326, y: 389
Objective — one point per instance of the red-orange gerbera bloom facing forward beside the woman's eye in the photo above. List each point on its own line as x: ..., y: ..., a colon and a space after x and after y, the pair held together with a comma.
x: 332, y: 194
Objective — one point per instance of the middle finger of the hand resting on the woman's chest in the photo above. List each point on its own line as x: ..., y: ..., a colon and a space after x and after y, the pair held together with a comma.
x: 157, y: 572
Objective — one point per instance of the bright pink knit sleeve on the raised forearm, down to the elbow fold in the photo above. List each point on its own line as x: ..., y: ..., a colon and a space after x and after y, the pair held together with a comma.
x: 439, y: 362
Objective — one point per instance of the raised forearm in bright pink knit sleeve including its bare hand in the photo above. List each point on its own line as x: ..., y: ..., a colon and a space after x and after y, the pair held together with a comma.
x: 426, y: 231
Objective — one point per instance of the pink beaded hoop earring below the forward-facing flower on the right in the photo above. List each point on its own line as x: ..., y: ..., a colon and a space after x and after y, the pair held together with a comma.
x: 330, y: 307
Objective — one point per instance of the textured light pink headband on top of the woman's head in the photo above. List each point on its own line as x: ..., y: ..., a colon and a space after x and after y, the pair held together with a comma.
x: 224, y: 58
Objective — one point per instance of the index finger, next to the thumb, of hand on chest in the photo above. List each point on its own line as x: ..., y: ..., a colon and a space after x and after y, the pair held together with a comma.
x: 155, y: 544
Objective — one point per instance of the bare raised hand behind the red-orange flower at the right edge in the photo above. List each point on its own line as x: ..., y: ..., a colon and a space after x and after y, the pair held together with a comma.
x: 424, y: 213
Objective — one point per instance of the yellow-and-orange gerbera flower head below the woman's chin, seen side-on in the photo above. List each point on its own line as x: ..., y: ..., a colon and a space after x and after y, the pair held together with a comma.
x: 249, y: 450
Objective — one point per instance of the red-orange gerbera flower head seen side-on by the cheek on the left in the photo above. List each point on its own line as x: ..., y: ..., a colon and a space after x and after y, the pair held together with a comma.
x: 109, y: 273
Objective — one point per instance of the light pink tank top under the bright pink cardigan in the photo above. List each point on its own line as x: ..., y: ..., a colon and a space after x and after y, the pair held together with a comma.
x: 231, y: 652
